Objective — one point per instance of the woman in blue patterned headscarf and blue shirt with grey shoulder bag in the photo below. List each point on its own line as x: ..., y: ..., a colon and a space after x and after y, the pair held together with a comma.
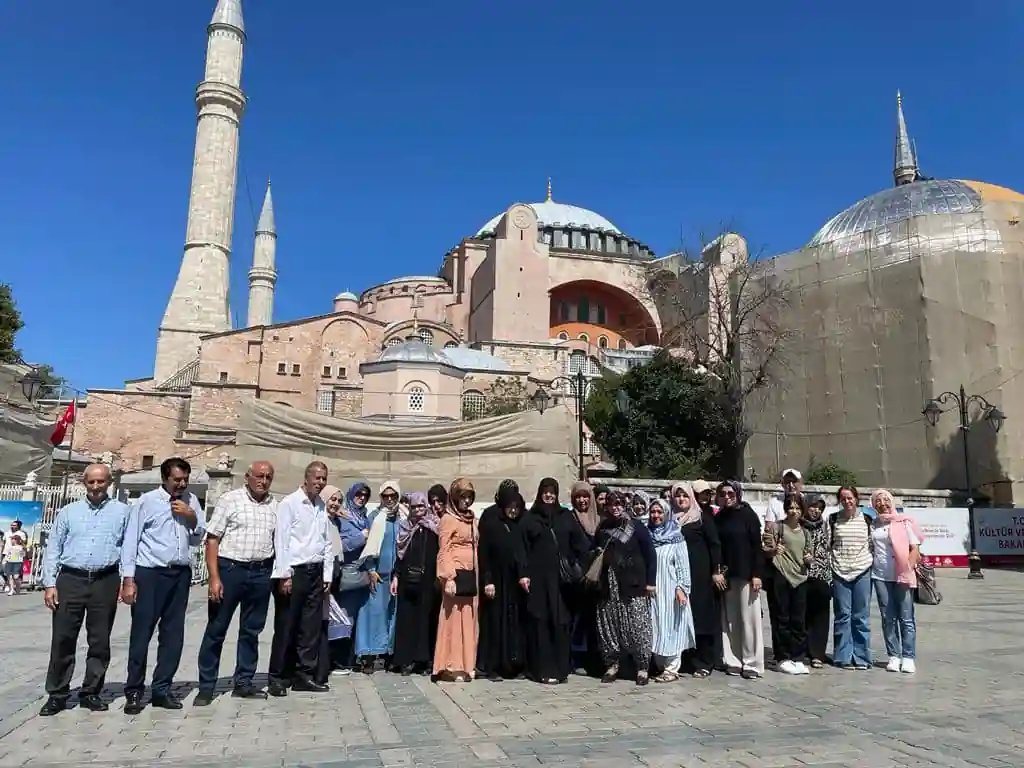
x: 353, y: 525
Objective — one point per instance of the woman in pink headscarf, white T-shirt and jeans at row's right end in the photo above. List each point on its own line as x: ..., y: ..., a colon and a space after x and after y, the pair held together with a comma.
x: 898, y: 552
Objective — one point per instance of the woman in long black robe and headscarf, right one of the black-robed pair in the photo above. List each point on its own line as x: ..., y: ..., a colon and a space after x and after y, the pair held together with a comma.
x: 549, y: 536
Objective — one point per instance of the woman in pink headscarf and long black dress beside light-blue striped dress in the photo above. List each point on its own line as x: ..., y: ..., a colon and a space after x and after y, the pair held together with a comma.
x: 705, y: 551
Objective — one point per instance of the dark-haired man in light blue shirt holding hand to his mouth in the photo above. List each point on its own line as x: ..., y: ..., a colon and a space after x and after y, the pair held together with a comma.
x: 156, y: 572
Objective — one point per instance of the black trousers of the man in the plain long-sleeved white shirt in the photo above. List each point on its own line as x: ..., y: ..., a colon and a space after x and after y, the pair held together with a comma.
x: 298, y: 625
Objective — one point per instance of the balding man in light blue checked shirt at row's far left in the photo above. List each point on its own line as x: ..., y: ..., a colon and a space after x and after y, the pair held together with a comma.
x: 80, y: 576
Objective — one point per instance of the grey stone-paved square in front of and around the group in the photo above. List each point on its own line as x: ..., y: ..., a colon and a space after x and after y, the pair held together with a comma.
x: 964, y: 708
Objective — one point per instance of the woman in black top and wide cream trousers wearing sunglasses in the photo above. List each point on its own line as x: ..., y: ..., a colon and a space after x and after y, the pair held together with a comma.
x: 744, y: 562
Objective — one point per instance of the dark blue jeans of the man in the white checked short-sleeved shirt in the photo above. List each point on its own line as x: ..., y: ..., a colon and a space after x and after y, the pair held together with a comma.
x: 247, y: 587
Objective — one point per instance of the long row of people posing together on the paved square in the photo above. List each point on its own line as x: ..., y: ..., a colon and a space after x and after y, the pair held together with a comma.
x: 610, y: 585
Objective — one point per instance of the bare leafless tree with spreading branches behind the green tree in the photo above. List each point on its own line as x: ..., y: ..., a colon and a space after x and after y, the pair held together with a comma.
x: 723, y: 309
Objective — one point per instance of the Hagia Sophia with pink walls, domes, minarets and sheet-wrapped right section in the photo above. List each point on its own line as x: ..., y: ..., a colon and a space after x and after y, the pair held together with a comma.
x: 908, y: 293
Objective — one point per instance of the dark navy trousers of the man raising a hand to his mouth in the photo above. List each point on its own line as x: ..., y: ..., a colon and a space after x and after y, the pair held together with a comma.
x: 161, y: 602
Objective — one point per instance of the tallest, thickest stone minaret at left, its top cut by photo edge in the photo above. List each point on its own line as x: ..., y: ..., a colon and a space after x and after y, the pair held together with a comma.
x: 199, y: 302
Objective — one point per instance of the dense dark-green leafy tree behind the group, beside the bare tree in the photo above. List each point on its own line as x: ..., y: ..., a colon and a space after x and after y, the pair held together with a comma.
x: 676, y: 423
